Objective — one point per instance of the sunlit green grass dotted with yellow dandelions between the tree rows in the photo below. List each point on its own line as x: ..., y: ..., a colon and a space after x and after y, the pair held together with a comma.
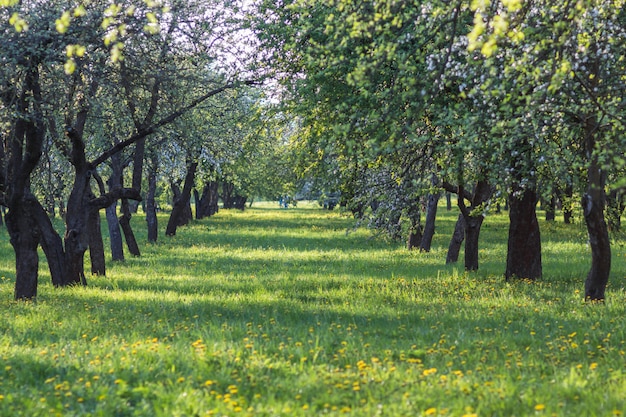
x: 275, y: 312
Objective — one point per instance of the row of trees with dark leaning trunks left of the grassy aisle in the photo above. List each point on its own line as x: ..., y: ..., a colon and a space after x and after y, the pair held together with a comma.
x: 101, y: 105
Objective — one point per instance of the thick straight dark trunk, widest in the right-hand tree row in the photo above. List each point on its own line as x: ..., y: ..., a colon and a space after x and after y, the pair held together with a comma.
x: 524, y: 244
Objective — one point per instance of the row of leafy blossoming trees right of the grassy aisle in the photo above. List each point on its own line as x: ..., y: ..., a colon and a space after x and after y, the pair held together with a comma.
x: 509, y: 99
